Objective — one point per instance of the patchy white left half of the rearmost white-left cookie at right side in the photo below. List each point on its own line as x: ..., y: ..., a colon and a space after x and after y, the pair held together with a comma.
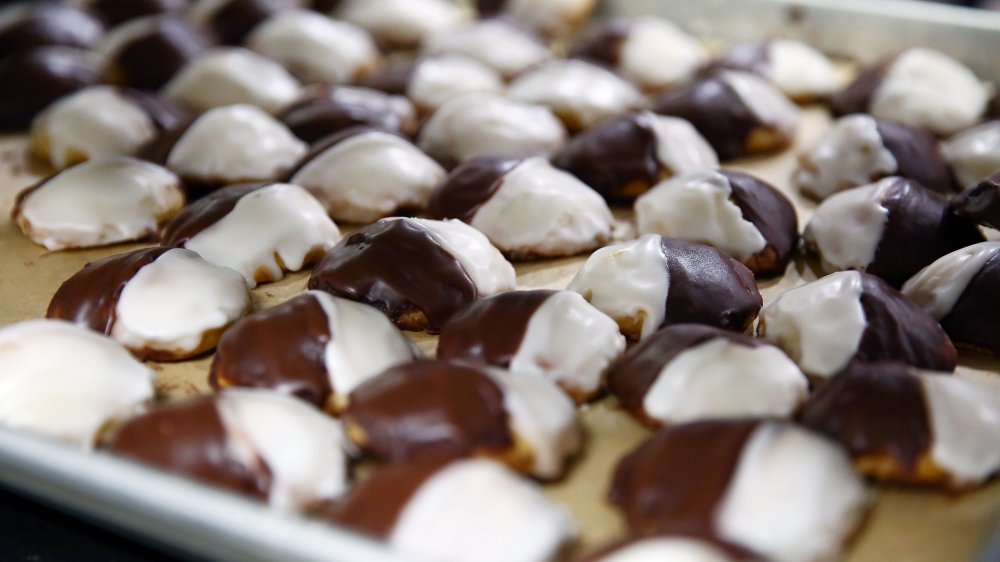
x: 851, y: 153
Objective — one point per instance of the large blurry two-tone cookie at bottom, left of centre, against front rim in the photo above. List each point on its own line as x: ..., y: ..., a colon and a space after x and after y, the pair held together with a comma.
x: 441, y: 509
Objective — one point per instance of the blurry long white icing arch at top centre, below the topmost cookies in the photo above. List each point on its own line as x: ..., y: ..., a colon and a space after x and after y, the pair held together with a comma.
x: 479, y: 40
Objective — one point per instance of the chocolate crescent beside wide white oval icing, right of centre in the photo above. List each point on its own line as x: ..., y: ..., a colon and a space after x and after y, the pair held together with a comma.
x: 639, y: 368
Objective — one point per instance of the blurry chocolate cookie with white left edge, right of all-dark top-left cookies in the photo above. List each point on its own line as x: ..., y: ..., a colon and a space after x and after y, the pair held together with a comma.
x: 147, y: 52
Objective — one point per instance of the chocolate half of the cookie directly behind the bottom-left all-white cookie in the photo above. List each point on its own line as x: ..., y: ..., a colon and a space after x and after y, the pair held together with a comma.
x: 91, y: 295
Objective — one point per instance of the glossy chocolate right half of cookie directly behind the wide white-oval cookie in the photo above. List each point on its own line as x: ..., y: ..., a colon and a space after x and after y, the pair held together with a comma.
x: 708, y: 287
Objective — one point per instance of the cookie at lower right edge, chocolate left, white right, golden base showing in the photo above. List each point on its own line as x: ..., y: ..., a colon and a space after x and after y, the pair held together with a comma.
x: 907, y: 426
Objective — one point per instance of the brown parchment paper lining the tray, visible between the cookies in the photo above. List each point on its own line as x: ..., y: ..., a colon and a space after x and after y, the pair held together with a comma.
x: 905, y: 524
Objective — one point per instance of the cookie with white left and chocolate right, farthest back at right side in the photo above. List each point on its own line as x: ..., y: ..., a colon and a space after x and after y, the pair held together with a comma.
x: 860, y: 149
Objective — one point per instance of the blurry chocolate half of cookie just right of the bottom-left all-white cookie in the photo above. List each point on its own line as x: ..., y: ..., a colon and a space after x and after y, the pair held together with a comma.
x: 189, y: 438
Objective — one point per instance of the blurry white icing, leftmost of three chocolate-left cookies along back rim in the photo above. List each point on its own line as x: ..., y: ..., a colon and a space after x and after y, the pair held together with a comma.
x: 657, y: 54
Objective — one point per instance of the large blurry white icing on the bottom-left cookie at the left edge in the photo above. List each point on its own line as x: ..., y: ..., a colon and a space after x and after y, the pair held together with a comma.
x: 67, y: 382
